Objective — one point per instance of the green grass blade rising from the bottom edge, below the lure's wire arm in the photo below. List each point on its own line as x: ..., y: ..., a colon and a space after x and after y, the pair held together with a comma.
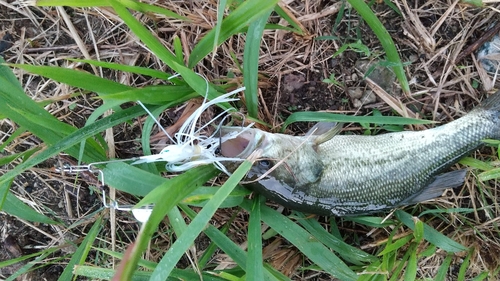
x: 83, y: 250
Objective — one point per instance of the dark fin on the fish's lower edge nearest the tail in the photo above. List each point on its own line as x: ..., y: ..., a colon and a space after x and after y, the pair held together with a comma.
x: 436, y: 188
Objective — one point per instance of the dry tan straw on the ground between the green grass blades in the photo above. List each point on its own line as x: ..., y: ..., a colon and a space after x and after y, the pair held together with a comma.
x: 437, y: 37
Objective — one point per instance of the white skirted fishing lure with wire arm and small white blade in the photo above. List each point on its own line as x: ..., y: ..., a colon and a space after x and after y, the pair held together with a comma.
x: 190, y: 148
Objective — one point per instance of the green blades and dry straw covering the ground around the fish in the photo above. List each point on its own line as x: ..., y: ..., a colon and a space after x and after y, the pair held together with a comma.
x: 197, y: 231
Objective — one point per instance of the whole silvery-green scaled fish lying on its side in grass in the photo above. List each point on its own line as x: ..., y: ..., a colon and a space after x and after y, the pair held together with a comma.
x: 327, y: 173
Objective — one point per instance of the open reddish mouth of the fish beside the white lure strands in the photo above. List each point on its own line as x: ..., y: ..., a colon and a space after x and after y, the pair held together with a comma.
x: 238, y: 142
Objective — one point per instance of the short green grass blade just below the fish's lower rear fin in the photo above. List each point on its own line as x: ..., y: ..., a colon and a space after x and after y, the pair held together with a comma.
x: 430, y: 234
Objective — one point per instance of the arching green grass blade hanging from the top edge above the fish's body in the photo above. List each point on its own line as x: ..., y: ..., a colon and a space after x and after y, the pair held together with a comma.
x: 385, y: 39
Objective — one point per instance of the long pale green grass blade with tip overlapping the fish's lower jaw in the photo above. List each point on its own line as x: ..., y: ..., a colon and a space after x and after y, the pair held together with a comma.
x: 172, y: 256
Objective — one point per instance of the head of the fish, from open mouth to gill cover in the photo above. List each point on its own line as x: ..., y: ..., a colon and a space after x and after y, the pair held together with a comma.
x: 290, y: 159
